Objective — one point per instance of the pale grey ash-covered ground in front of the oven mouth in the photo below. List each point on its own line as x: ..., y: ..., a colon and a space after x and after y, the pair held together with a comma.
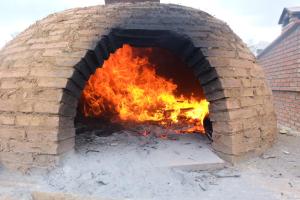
x: 124, y: 166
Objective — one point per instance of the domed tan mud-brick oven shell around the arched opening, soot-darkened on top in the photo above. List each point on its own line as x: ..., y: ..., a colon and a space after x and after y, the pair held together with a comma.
x: 38, y: 106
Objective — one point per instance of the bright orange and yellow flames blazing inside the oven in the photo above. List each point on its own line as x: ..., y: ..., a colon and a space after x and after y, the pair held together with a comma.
x: 127, y: 88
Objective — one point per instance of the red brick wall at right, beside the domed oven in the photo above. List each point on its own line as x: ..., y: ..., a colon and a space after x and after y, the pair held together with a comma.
x: 281, y: 62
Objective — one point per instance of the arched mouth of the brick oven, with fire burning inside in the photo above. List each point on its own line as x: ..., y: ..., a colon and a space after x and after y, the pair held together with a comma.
x: 147, y: 90
